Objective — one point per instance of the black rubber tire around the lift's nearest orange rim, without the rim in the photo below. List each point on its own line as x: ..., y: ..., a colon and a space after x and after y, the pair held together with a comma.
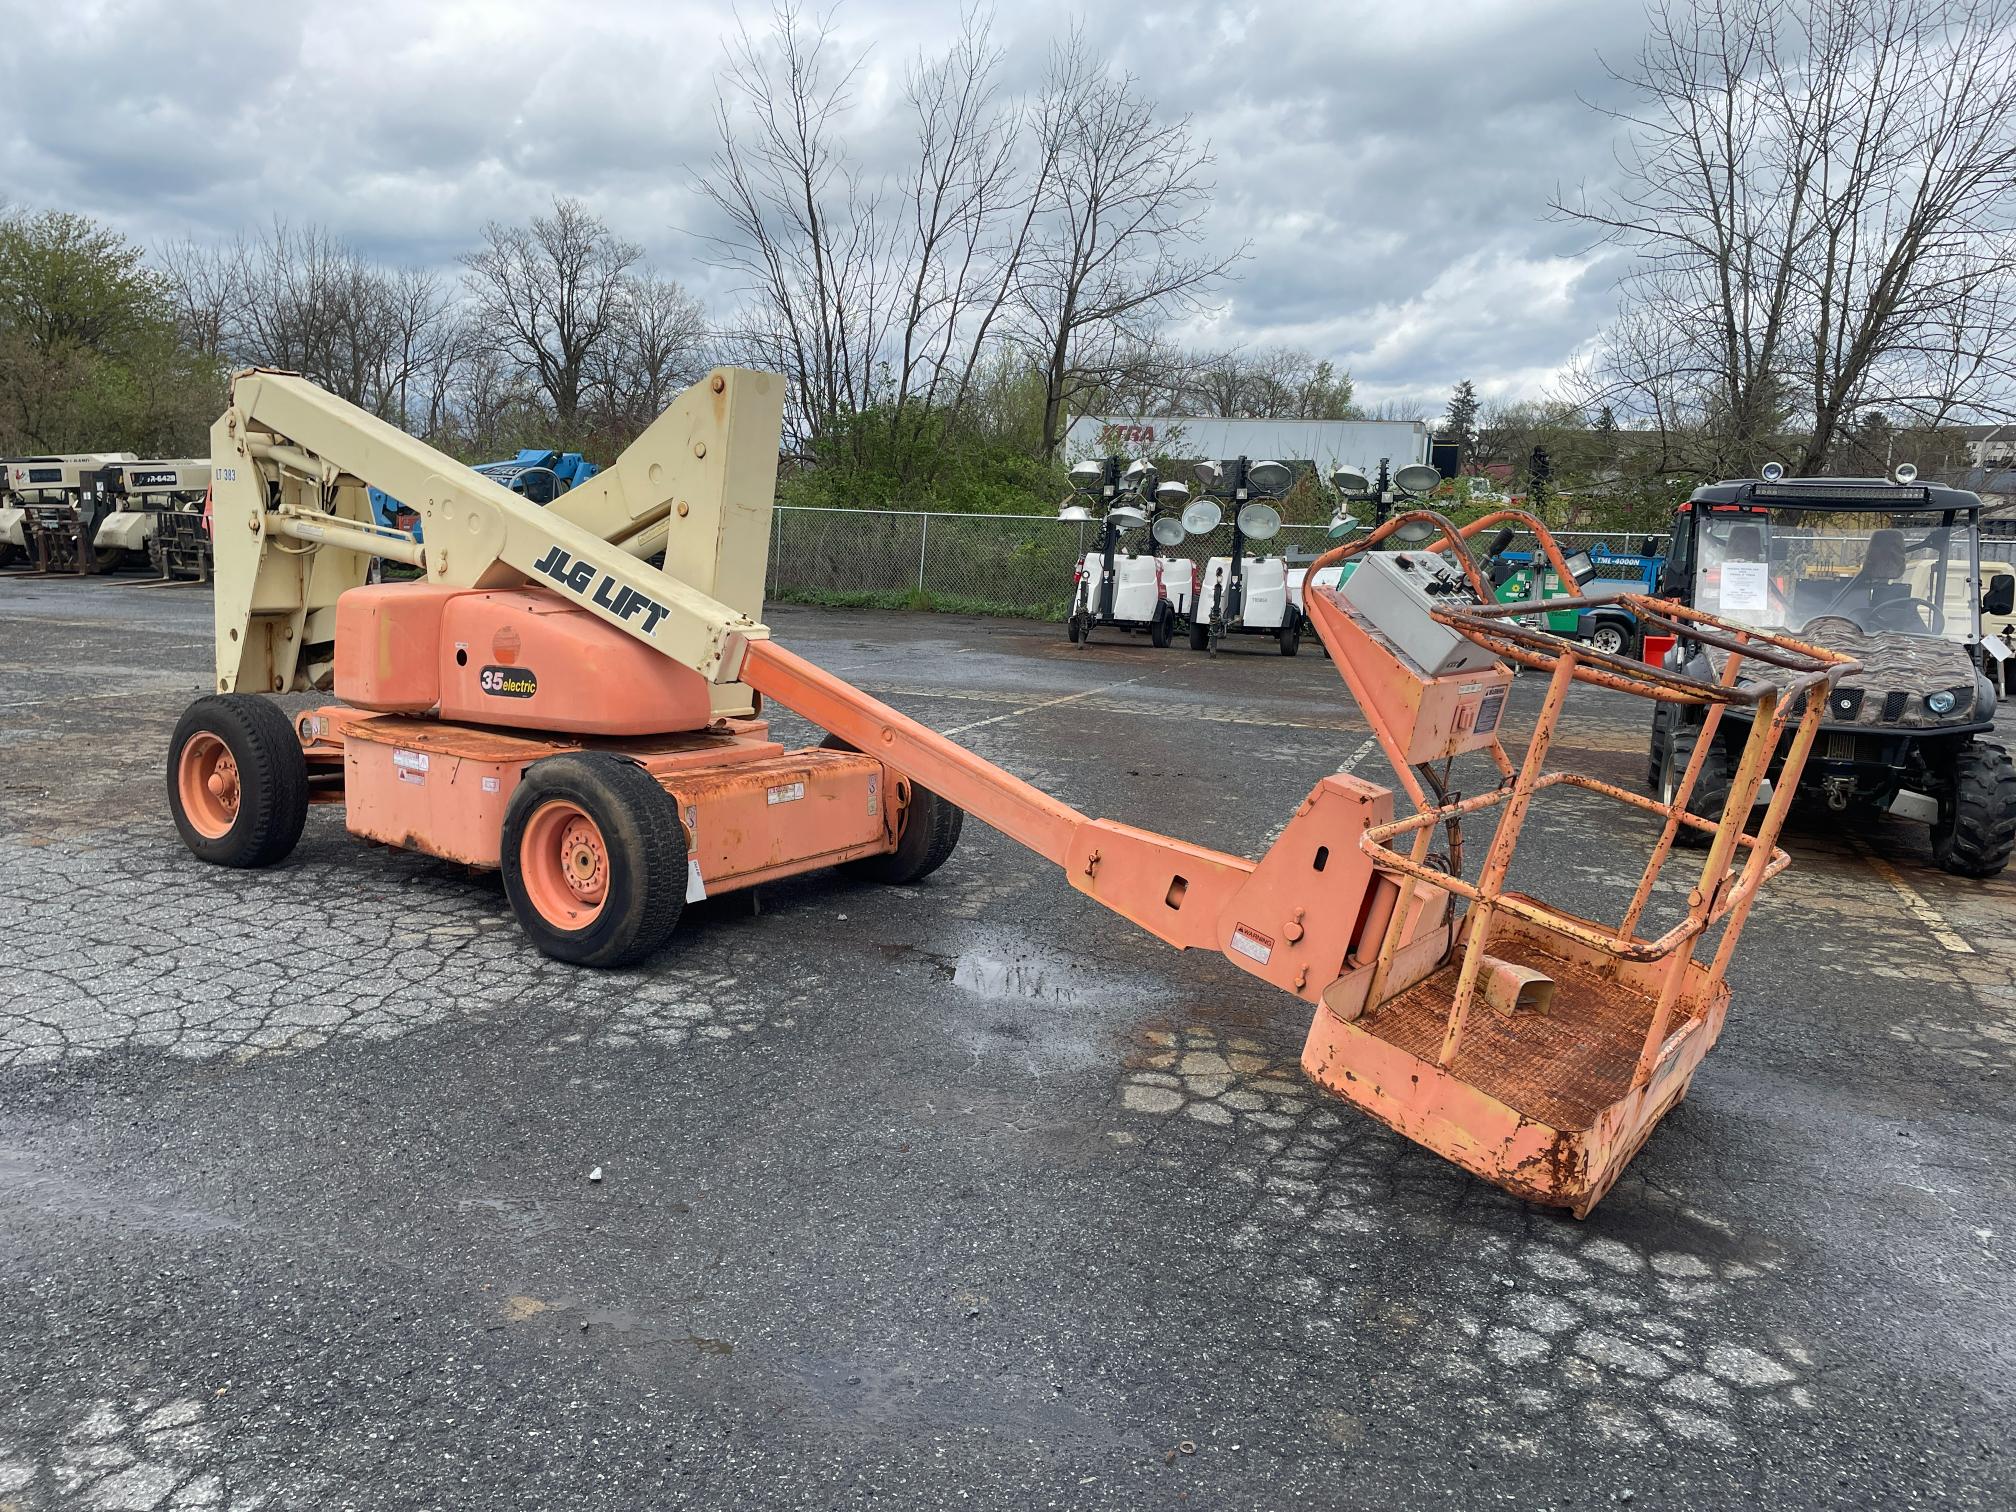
x: 640, y: 826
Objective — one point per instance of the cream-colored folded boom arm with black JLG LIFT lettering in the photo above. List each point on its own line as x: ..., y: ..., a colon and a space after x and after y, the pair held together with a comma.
x: 293, y: 527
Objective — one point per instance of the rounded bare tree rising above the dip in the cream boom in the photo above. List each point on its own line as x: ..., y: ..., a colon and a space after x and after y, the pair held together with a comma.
x: 551, y: 297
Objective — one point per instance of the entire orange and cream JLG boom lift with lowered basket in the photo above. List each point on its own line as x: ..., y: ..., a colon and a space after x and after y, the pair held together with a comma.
x: 551, y: 705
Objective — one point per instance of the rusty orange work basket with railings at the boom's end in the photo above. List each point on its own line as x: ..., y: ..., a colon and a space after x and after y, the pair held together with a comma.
x: 1553, y: 1104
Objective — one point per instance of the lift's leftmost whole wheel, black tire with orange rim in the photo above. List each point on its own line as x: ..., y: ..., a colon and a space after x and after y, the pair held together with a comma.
x: 237, y: 781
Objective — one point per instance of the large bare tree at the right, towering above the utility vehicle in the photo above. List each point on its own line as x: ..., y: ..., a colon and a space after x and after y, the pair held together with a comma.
x: 1821, y: 203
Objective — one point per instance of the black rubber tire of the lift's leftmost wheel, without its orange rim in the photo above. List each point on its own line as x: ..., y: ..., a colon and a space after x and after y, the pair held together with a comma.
x: 273, y: 779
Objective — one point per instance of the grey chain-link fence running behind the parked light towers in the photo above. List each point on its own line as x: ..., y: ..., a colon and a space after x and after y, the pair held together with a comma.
x: 993, y: 563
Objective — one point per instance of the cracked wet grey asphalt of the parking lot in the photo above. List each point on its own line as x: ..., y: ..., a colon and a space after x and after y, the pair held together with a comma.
x: 934, y: 1196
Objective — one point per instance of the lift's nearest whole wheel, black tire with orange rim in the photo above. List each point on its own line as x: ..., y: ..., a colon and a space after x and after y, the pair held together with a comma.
x: 594, y: 860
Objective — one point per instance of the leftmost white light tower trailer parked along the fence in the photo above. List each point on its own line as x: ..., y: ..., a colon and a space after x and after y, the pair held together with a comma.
x: 1138, y: 592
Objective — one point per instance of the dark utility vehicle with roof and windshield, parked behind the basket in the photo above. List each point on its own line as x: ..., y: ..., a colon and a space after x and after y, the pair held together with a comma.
x: 1888, y: 572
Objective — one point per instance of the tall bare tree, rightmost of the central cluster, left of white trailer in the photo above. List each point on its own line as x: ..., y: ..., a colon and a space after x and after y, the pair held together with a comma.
x: 1120, y: 241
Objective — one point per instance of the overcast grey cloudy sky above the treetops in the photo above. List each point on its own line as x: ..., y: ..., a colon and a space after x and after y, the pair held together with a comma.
x: 1390, y: 162
